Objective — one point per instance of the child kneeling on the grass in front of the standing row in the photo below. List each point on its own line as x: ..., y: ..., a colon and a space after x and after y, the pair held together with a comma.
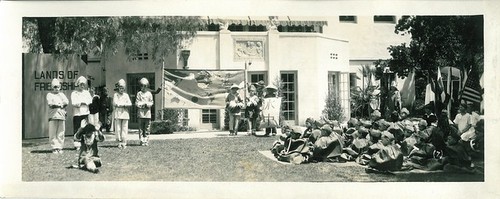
x: 89, y: 135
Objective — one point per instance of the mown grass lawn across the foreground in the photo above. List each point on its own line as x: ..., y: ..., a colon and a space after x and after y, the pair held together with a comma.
x: 210, y: 159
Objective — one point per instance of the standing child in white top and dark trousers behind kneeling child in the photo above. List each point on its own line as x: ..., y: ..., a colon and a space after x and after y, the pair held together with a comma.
x: 80, y: 99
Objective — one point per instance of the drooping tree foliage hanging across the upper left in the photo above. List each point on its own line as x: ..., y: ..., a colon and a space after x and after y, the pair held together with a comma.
x: 103, y: 36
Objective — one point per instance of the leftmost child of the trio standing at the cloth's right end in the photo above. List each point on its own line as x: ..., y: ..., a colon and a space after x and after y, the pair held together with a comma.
x: 233, y: 106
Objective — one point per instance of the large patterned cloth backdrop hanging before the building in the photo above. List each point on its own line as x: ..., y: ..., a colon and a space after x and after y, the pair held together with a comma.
x: 199, y: 89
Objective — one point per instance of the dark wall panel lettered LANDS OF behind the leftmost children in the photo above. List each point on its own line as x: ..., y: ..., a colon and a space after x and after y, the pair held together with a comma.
x: 38, y: 72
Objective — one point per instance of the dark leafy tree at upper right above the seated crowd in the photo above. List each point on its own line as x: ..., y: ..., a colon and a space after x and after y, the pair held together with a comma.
x: 437, y: 41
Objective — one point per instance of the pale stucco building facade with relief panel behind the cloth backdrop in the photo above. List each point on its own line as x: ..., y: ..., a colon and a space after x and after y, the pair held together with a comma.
x: 312, y: 56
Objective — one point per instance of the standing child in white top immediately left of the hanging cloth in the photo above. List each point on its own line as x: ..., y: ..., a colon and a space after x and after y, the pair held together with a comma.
x: 144, y: 101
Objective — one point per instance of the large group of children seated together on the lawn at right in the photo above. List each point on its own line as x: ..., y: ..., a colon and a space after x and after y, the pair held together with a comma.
x: 433, y: 143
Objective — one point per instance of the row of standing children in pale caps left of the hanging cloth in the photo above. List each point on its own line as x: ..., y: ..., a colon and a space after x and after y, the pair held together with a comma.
x: 88, y: 106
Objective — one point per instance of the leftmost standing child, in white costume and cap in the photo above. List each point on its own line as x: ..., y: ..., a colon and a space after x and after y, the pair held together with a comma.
x: 57, y: 102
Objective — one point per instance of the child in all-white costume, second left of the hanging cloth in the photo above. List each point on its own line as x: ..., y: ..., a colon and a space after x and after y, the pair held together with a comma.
x: 121, y: 103
